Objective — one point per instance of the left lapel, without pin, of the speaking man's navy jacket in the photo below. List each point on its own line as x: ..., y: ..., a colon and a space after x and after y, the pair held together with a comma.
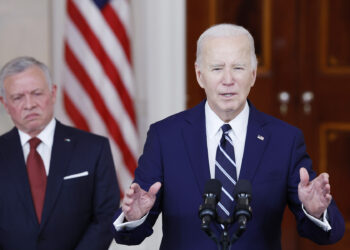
x: 194, y: 134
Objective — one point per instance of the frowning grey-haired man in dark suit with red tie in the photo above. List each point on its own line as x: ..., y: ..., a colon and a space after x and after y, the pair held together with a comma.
x: 58, y: 185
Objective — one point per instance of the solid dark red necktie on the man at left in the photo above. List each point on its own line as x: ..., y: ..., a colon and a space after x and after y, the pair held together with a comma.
x: 37, y: 177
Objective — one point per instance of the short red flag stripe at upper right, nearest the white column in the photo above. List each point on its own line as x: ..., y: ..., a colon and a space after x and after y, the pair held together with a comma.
x: 116, y: 25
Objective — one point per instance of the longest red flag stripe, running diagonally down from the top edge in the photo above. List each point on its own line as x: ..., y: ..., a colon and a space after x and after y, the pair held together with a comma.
x: 102, y: 56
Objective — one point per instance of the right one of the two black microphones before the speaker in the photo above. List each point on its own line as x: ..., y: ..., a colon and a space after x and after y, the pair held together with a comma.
x: 243, y: 195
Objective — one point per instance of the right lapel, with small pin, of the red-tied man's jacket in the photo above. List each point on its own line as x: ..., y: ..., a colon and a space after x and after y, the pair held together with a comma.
x: 61, y: 152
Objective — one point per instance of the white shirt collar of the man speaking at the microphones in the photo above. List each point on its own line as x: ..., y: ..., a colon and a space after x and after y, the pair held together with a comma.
x: 238, y: 124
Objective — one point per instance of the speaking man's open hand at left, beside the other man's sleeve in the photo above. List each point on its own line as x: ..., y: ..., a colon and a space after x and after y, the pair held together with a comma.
x: 137, y: 202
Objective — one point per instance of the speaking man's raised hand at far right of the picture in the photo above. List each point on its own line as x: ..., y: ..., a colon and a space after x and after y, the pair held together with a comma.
x: 316, y: 194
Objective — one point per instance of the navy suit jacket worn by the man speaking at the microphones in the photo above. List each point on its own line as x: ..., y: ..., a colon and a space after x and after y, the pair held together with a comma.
x: 176, y: 154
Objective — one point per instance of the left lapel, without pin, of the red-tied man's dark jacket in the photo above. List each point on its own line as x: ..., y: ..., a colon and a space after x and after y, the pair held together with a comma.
x: 17, y: 167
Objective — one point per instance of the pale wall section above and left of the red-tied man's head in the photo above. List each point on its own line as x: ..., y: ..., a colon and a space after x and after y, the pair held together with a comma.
x: 24, y: 29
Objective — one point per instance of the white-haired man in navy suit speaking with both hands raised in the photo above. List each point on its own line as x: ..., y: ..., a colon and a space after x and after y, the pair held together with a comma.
x: 181, y: 154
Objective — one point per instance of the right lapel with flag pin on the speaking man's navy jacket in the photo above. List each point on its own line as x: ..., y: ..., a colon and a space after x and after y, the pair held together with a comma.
x: 256, y: 141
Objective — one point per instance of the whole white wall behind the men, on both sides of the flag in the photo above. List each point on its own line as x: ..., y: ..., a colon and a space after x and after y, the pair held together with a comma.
x: 35, y: 28
